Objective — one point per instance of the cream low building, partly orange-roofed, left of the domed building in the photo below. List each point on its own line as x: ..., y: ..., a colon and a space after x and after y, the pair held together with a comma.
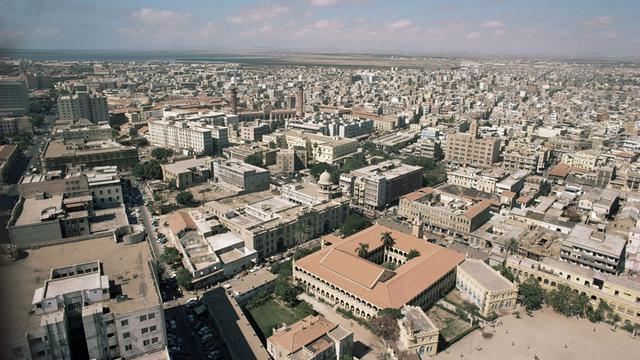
x: 210, y: 257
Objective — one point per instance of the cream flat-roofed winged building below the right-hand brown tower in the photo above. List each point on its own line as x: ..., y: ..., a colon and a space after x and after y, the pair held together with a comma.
x: 320, y: 148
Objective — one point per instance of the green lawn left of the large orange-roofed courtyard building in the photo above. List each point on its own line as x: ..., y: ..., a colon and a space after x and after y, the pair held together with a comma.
x: 271, y: 314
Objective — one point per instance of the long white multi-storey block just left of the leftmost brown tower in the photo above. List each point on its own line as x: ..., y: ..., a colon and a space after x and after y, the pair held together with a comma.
x: 192, y: 136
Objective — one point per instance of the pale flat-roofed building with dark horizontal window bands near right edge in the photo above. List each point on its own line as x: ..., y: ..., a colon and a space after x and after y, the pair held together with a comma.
x: 594, y: 249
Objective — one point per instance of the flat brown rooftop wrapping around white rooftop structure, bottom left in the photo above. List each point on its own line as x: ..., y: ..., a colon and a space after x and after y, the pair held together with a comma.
x: 126, y: 265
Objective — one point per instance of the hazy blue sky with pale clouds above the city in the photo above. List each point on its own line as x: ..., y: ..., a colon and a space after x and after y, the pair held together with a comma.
x: 575, y: 28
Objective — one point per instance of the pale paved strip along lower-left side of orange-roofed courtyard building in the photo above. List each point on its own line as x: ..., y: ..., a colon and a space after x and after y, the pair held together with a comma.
x: 360, y: 333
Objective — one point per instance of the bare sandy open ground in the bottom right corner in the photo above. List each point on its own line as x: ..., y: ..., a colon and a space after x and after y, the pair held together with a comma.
x: 548, y: 336
